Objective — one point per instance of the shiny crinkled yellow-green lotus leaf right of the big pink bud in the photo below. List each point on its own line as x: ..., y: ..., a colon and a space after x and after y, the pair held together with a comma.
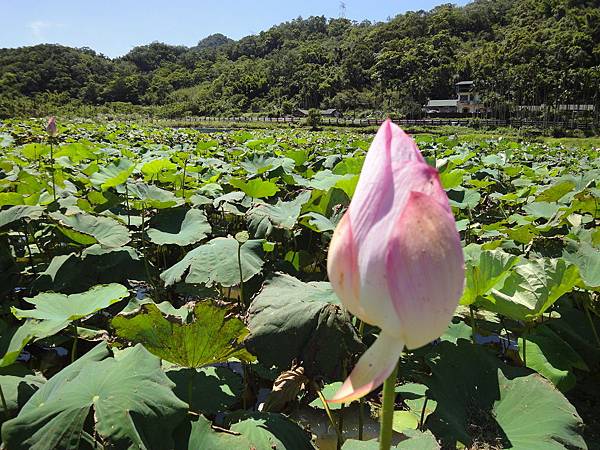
x: 532, y: 288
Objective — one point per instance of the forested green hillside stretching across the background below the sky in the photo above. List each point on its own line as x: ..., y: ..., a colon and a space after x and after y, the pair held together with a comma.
x: 519, y: 51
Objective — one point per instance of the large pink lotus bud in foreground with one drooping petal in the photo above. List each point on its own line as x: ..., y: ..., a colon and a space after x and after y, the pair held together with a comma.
x: 395, y: 259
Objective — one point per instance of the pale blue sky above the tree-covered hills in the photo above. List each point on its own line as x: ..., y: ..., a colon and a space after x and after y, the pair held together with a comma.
x: 113, y: 27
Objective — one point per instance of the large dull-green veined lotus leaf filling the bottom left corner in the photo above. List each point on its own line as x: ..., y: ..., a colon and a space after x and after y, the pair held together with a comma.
x: 129, y: 398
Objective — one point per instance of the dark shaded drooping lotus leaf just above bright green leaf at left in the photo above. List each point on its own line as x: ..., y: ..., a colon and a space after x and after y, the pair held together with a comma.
x: 96, y: 265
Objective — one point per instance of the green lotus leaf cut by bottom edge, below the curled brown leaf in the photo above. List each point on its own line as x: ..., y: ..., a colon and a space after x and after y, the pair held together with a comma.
x: 266, y: 431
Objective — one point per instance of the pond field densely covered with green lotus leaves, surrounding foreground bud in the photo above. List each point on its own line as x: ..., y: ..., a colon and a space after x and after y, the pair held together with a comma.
x: 167, y: 289
